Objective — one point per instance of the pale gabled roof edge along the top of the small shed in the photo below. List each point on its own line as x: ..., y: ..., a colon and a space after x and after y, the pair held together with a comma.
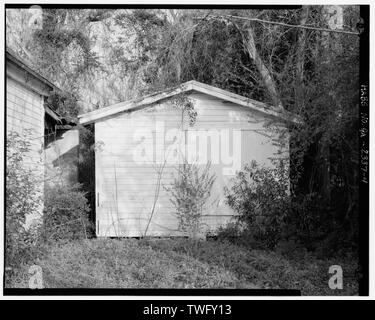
x: 140, y: 103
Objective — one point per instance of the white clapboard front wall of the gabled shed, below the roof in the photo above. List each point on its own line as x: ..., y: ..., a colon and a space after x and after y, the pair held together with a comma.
x: 126, y: 189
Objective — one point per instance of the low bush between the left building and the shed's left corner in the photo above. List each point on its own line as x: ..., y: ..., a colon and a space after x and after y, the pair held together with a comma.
x: 65, y: 213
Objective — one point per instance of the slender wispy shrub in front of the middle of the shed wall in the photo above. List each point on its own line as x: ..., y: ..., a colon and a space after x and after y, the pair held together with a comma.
x: 190, y: 192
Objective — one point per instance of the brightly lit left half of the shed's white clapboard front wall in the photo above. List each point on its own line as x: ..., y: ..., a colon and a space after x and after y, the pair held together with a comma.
x: 126, y: 191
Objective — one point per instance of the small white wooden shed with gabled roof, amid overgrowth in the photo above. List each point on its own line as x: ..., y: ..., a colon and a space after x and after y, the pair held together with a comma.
x: 140, y: 142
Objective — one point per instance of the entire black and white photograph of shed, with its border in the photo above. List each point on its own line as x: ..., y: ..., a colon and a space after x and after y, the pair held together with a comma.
x: 202, y: 149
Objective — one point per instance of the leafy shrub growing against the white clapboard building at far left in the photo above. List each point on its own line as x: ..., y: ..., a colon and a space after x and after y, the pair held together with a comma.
x: 23, y: 199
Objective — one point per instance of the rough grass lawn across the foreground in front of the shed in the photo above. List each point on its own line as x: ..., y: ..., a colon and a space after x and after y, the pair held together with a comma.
x: 181, y: 263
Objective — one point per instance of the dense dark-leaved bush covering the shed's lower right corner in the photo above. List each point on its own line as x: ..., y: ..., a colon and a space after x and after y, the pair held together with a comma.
x: 261, y: 197
